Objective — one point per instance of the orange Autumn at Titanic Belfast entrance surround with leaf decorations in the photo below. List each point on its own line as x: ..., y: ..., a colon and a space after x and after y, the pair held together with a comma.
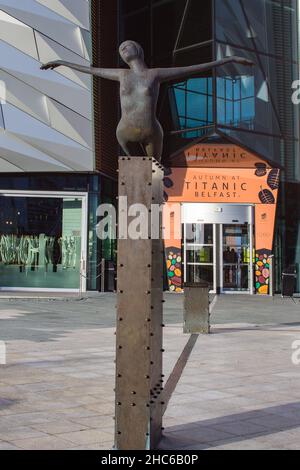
x: 251, y: 183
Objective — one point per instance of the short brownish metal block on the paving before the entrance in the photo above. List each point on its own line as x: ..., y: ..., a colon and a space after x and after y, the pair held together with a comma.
x: 196, y: 308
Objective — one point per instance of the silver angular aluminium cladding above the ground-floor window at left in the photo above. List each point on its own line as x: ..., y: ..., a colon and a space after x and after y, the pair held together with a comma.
x: 48, y: 115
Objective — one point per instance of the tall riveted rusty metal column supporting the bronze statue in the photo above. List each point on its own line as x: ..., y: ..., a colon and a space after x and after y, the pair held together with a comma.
x: 139, y: 315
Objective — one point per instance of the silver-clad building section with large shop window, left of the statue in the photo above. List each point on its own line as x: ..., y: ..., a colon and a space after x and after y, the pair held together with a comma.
x: 51, y: 177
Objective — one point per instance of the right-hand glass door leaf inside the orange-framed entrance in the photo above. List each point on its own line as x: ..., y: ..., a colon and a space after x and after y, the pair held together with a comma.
x: 236, y: 265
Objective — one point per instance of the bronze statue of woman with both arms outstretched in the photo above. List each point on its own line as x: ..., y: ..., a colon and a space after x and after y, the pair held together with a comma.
x: 139, y: 90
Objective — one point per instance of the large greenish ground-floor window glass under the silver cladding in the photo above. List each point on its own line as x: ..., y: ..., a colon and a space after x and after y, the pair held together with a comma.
x: 40, y: 242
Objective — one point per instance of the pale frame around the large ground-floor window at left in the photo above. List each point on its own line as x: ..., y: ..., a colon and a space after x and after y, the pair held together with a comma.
x: 84, y: 231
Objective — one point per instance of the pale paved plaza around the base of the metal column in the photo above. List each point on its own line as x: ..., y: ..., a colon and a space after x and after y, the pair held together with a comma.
x: 240, y: 388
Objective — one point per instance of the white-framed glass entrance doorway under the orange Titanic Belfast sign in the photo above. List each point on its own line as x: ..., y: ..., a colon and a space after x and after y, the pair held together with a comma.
x: 218, y: 246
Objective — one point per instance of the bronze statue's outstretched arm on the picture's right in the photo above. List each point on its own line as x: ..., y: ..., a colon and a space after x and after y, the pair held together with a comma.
x: 175, y: 73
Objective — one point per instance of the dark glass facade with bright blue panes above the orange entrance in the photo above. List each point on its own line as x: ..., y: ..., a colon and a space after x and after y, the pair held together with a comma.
x: 247, y: 106
